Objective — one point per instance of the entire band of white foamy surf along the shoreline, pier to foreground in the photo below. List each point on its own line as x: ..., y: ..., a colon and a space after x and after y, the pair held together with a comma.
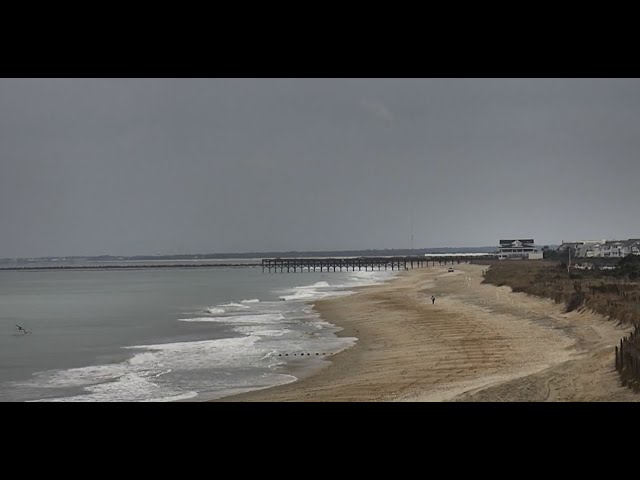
x: 211, y: 369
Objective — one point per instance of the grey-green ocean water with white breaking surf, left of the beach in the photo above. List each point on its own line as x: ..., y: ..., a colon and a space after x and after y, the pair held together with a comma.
x: 164, y: 334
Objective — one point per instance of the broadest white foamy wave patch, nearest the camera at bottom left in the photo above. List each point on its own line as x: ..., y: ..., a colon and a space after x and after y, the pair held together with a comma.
x: 144, y: 376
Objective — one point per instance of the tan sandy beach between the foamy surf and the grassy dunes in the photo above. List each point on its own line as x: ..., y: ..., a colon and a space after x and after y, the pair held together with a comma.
x: 476, y: 343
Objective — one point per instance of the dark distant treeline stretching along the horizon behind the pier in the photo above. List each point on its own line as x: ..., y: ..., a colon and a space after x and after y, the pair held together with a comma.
x: 290, y: 254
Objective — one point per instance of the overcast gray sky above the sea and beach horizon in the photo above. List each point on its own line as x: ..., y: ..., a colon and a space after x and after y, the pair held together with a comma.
x: 137, y: 166
